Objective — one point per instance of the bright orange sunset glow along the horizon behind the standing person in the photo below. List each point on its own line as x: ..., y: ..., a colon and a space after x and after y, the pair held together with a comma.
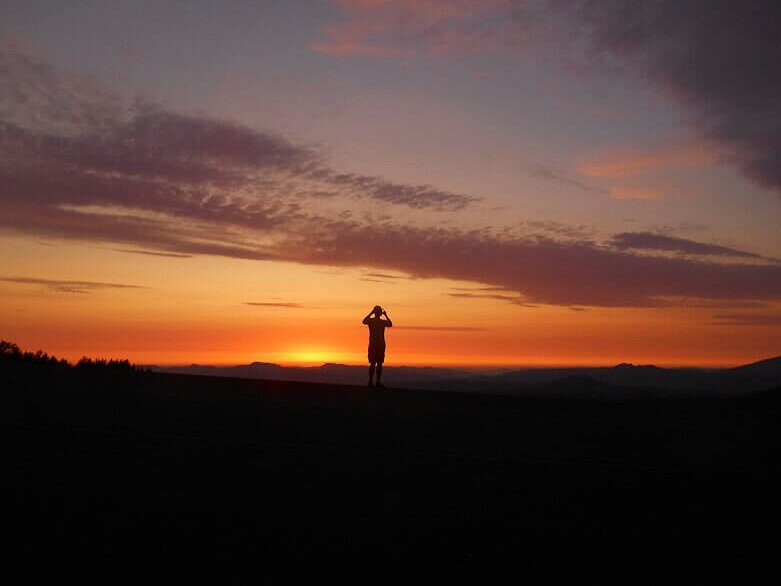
x: 197, y: 311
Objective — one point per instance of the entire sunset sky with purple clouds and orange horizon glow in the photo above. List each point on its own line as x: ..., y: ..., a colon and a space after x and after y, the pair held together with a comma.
x: 519, y: 183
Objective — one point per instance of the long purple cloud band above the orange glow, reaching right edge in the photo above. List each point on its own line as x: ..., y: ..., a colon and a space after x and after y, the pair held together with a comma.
x: 542, y: 270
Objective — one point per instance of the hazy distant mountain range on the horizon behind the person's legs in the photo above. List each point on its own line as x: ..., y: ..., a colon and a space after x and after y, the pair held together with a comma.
x: 761, y: 375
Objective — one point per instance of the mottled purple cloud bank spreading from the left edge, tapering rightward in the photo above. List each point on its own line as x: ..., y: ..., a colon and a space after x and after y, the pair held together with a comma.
x: 102, y: 151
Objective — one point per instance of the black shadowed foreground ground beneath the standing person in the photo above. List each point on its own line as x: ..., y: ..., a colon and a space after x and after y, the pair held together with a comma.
x: 116, y: 477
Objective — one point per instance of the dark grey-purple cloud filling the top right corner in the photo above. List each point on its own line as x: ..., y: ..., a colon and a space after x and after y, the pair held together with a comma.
x: 717, y: 57
